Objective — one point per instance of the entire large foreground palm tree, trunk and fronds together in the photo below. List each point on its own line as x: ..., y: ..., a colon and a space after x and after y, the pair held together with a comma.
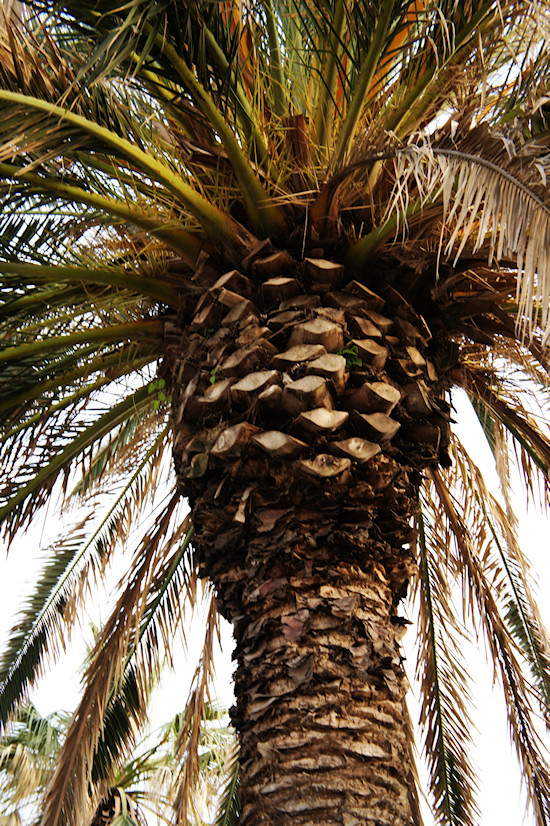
x: 272, y: 237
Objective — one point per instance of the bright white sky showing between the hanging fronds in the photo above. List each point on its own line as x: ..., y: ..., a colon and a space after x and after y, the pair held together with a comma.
x: 499, y: 778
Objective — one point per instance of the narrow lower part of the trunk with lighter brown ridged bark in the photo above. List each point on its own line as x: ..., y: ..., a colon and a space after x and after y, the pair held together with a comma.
x: 320, y: 696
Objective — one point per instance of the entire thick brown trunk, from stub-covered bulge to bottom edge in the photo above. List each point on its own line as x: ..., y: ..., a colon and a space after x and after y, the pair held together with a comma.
x: 306, y: 410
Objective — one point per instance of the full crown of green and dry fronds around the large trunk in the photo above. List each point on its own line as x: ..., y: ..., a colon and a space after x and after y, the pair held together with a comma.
x: 147, y: 147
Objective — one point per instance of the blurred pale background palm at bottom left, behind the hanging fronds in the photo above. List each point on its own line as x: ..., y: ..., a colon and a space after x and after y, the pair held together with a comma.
x: 143, y: 786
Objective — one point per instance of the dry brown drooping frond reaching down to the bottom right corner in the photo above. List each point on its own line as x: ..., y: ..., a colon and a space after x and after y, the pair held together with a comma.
x: 494, y: 577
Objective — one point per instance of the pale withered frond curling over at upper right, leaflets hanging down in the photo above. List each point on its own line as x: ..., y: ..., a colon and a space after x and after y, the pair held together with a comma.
x: 483, y: 206
